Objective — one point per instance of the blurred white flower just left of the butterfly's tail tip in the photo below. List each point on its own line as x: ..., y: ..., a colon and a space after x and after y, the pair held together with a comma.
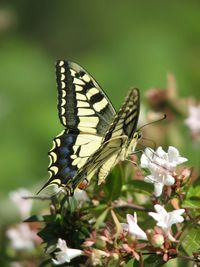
x: 24, y: 205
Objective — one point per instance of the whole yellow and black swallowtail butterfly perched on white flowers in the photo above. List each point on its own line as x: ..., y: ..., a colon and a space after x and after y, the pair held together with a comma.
x: 96, y: 137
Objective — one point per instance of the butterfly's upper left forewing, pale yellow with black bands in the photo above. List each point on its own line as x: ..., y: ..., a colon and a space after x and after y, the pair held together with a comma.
x: 82, y: 104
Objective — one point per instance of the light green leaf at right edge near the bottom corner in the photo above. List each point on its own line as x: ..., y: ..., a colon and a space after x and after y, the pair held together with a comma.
x: 190, y: 240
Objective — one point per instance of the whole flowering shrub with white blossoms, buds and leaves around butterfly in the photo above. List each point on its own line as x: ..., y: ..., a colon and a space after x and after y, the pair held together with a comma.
x: 120, y: 221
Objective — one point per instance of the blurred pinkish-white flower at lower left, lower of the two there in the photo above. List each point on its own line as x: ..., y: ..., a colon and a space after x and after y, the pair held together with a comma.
x: 22, y: 237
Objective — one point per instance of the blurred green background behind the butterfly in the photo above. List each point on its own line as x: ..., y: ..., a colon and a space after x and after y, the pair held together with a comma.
x: 121, y: 43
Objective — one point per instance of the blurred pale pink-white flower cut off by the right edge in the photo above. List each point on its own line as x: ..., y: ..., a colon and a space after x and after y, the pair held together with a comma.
x: 193, y: 121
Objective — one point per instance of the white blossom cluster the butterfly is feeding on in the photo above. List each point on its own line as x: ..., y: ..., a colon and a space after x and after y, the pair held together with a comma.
x: 161, y: 165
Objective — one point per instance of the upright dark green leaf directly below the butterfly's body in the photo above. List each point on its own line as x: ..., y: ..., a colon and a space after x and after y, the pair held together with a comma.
x: 114, y: 184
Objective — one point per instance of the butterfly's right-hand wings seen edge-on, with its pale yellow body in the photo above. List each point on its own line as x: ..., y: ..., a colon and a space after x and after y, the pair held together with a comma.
x: 115, y: 143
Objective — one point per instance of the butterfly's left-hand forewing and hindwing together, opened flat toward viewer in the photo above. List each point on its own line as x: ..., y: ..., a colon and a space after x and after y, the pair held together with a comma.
x: 86, y: 113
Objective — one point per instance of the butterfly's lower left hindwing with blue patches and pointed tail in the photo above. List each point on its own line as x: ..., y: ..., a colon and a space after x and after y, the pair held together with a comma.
x: 69, y: 153
